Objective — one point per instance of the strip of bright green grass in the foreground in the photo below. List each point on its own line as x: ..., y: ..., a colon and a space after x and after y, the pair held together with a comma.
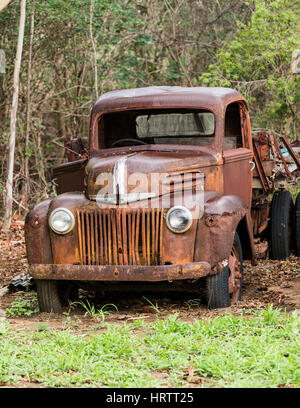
x: 259, y: 350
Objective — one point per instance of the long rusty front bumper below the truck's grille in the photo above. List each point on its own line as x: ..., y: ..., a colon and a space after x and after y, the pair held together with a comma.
x: 116, y: 273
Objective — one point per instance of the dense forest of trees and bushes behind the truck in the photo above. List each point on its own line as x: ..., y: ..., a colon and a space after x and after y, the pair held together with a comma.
x: 75, y: 50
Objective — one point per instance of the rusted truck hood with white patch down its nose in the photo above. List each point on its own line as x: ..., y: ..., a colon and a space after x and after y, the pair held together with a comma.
x: 124, y: 174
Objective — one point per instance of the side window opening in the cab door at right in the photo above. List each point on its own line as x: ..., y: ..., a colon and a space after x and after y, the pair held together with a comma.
x: 233, y: 133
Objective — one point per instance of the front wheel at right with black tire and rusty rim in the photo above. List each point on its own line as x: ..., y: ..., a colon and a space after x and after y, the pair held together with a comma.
x: 225, y: 288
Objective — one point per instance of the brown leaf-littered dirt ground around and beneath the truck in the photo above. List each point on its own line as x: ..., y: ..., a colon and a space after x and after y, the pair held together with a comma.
x: 276, y: 282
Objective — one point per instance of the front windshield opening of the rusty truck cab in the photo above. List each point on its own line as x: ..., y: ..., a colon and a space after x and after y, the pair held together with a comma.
x: 196, y: 127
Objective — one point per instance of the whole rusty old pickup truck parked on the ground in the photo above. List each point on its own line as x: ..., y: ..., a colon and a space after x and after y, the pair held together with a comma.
x: 171, y: 188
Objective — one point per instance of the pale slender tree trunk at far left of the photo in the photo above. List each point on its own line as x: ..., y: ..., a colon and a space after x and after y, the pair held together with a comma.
x: 13, y: 118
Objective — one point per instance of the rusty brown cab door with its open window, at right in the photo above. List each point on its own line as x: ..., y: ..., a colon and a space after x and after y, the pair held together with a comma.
x: 237, y: 152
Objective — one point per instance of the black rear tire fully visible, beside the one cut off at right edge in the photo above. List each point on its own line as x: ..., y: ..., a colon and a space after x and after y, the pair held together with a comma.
x: 281, y: 224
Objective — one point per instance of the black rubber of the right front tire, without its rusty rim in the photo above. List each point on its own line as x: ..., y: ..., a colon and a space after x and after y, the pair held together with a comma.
x: 218, y: 295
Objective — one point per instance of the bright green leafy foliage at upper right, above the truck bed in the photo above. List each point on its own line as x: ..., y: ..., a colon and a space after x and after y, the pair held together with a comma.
x: 257, y: 62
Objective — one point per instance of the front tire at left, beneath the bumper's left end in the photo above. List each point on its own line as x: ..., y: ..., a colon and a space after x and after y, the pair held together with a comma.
x: 48, y: 296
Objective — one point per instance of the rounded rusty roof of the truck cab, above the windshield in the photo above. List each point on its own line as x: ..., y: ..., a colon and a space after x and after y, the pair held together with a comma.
x: 165, y: 97
